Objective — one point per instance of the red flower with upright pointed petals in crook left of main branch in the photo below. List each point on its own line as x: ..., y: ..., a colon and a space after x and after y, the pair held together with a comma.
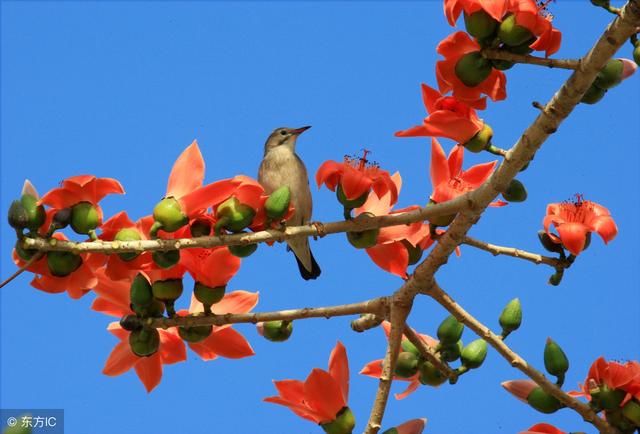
x: 449, y: 180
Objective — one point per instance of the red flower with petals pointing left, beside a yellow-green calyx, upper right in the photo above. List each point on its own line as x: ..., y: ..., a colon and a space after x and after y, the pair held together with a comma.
x: 448, y: 117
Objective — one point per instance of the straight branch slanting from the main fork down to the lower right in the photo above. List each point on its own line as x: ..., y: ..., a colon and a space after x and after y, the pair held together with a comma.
x: 514, y: 359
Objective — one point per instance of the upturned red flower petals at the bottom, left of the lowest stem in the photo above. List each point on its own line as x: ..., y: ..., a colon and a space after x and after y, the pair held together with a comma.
x: 322, y: 395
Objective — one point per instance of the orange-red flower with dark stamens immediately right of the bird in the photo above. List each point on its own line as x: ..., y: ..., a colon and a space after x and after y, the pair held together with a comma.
x: 356, y: 177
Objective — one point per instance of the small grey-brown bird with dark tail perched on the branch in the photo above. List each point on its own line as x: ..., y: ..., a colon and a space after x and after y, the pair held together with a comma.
x: 281, y: 166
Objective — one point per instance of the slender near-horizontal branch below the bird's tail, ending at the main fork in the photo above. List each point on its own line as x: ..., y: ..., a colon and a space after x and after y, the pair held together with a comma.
x: 377, y: 306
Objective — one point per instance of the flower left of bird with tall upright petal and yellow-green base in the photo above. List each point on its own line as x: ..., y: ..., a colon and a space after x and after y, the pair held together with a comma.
x: 186, y: 197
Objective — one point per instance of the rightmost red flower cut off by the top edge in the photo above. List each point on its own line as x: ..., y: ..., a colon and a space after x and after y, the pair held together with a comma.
x: 535, y: 18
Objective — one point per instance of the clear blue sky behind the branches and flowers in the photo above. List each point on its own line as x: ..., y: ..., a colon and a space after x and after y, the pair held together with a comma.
x: 120, y: 88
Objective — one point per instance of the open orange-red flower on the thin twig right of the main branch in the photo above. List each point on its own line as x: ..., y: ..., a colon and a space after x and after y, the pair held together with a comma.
x: 575, y: 220
